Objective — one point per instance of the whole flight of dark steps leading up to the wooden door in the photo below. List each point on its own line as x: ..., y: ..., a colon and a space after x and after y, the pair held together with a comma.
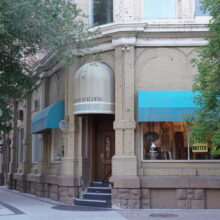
x: 98, y: 194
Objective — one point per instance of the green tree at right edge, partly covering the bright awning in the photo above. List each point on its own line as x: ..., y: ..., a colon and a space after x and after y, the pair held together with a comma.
x: 206, y: 121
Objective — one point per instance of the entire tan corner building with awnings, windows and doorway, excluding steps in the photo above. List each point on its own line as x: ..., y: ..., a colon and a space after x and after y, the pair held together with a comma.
x: 120, y: 118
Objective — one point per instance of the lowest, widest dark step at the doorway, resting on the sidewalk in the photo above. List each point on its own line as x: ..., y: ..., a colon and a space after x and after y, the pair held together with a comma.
x: 91, y: 202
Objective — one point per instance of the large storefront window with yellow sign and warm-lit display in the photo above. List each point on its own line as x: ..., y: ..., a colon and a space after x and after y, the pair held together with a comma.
x: 169, y: 141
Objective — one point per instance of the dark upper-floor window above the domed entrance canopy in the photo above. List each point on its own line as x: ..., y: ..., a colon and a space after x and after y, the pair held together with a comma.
x: 101, y: 12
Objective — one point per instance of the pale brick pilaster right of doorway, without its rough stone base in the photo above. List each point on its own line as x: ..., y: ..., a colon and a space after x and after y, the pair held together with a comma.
x: 124, y: 162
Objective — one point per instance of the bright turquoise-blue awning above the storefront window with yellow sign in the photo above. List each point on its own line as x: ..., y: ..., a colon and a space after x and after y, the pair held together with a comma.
x: 165, y: 105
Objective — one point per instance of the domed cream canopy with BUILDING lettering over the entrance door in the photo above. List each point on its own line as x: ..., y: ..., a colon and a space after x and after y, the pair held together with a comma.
x: 94, y: 89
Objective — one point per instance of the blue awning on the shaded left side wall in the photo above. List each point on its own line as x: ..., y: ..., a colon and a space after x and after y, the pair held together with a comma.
x: 48, y: 118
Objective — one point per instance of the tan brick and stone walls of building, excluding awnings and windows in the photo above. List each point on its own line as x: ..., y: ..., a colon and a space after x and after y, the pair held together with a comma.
x: 144, y: 55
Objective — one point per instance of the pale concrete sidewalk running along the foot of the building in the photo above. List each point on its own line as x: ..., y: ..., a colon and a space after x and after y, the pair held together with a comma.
x: 21, y: 206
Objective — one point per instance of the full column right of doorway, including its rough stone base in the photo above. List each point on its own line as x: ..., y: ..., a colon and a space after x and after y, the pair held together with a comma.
x: 124, y: 163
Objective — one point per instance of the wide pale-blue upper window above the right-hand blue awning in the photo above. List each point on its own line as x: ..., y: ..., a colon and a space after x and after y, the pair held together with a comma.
x: 159, y: 9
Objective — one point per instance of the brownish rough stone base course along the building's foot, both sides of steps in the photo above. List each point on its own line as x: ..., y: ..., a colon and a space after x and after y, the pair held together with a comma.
x: 128, y: 198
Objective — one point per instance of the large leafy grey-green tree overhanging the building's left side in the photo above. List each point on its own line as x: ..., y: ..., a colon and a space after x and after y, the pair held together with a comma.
x: 30, y: 26
